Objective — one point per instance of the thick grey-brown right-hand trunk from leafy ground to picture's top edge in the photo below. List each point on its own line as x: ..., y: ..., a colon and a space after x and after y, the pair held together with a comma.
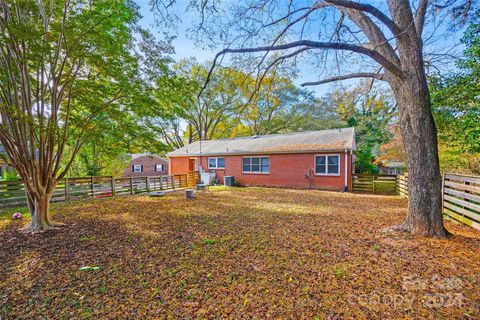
x: 425, y: 217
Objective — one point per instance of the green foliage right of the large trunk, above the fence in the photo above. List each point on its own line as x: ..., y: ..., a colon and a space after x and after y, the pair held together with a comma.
x: 456, y: 107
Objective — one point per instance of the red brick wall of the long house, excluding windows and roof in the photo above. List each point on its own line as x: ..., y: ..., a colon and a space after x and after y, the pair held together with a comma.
x: 286, y: 170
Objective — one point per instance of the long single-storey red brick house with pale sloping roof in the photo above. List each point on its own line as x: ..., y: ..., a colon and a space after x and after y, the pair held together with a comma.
x: 318, y: 159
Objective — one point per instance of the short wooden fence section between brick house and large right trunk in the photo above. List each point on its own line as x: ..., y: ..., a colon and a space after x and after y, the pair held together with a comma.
x: 375, y: 183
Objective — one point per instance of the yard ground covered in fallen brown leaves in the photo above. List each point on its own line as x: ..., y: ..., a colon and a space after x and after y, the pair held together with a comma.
x: 237, y: 253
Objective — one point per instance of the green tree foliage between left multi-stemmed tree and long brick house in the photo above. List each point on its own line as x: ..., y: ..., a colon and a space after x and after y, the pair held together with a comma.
x: 106, y: 150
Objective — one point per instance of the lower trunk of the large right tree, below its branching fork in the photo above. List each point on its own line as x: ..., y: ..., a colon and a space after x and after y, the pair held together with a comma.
x: 425, y: 217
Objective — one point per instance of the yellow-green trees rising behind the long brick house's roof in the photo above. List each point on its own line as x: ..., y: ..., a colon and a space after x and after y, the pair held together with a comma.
x: 230, y: 106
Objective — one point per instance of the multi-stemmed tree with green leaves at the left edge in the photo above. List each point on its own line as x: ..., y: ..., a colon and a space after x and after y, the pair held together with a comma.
x: 63, y: 64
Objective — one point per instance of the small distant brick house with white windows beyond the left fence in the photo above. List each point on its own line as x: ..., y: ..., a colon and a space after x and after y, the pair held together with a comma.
x: 143, y: 165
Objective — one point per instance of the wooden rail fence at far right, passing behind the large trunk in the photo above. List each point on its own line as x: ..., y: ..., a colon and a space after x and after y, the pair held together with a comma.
x: 461, y: 197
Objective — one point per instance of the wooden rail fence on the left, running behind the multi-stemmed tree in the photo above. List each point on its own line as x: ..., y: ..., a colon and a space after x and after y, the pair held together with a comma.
x: 12, y: 193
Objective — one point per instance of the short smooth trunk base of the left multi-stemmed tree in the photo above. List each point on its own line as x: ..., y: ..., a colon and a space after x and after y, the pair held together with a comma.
x: 40, y: 212
